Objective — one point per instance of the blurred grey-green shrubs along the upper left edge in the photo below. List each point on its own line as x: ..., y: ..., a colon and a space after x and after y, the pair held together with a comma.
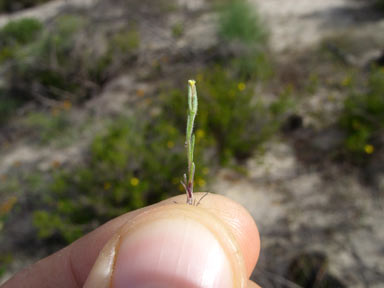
x: 47, y: 65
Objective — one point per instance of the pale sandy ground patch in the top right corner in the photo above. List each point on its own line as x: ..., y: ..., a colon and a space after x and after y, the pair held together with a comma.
x: 299, y: 24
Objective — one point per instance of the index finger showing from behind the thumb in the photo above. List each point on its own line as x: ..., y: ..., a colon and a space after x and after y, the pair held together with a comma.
x: 70, y: 266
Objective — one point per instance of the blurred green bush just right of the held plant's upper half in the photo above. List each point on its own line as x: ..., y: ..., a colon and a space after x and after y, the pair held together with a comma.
x: 232, y: 118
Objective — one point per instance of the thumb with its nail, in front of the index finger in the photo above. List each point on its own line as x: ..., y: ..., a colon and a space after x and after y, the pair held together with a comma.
x: 171, y: 246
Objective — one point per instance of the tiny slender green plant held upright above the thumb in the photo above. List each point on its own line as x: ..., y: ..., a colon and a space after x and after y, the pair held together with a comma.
x: 190, y: 140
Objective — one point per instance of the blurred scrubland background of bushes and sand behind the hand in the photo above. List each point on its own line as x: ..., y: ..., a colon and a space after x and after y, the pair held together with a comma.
x: 290, y: 124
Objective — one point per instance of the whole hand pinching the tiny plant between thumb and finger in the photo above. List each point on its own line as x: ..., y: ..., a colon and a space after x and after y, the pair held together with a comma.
x: 164, y: 245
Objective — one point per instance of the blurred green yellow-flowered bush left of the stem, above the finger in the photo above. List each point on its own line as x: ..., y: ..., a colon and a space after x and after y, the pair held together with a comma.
x: 134, y: 164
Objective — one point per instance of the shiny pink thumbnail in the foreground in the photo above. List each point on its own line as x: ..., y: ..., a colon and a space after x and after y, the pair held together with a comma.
x: 172, y: 253
